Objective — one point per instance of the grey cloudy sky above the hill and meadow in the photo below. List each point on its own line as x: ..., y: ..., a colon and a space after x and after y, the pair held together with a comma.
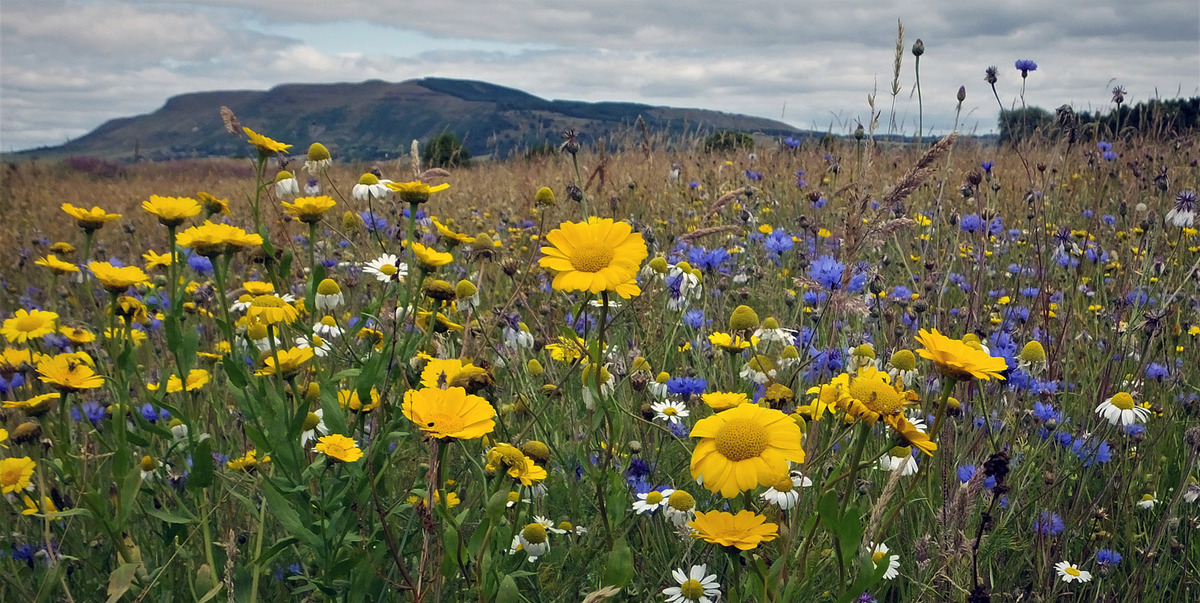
x: 67, y: 67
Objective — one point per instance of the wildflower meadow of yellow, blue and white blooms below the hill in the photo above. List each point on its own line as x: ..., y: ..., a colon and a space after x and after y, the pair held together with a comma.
x: 833, y: 371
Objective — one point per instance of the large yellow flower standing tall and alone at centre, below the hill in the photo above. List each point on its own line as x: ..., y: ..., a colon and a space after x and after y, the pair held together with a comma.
x: 595, y: 256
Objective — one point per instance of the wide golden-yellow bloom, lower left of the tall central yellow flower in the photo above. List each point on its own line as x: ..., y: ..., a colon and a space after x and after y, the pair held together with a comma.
x: 449, y: 413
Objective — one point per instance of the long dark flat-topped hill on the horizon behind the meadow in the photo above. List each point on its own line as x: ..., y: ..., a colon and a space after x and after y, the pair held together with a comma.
x: 375, y: 120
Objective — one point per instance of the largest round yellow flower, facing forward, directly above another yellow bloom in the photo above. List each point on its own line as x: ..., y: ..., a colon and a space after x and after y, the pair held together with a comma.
x: 745, y: 447
